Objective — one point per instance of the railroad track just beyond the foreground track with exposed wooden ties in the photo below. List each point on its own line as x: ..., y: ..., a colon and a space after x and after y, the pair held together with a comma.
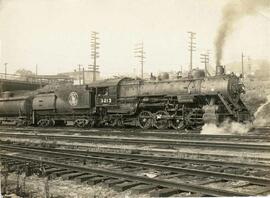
x: 143, y: 141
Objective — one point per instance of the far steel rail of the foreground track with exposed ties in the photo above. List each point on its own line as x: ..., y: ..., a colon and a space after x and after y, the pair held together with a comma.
x: 254, y: 180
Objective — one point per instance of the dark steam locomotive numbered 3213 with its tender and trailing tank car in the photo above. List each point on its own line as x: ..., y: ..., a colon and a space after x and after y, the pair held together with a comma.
x: 188, y: 102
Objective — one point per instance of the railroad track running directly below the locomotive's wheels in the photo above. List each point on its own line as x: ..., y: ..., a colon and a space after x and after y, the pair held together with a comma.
x: 151, y: 133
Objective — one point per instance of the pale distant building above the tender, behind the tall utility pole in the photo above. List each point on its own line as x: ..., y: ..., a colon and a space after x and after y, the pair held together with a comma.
x: 86, y: 76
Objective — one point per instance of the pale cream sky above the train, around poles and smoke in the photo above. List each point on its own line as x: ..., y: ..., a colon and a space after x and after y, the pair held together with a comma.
x: 55, y: 34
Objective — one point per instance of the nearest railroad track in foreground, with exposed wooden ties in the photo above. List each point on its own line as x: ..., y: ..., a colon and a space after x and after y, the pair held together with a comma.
x: 171, y: 182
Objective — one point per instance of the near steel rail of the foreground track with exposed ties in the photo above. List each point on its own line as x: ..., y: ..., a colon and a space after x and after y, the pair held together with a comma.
x: 142, y: 179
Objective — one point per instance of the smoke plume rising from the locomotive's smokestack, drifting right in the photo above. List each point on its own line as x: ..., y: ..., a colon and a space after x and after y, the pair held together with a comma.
x: 232, y: 13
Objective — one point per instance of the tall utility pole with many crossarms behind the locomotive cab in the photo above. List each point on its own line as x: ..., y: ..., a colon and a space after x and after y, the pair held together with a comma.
x: 95, y: 45
